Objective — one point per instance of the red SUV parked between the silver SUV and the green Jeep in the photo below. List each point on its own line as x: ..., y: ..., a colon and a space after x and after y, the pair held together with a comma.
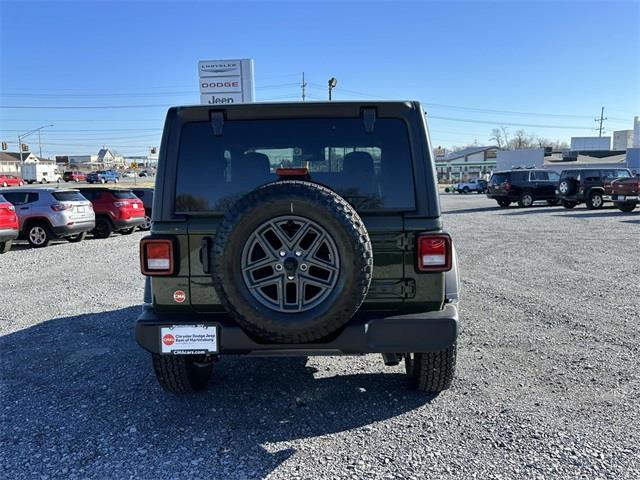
x: 117, y: 210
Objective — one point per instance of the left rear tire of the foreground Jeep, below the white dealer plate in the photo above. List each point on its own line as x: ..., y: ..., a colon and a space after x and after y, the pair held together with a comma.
x: 181, y: 374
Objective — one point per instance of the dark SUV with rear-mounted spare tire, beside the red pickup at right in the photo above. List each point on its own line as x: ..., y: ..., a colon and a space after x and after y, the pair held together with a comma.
x: 587, y: 185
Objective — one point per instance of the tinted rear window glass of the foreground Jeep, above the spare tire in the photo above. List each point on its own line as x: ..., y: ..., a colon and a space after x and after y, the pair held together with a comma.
x: 370, y: 170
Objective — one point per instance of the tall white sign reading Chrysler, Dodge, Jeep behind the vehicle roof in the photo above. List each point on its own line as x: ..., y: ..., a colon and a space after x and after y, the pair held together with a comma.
x: 226, y: 81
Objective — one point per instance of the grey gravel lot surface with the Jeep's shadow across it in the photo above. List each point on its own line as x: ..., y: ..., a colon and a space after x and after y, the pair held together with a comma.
x: 547, y: 383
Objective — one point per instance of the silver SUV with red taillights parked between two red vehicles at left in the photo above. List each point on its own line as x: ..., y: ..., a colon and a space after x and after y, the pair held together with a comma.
x: 48, y: 213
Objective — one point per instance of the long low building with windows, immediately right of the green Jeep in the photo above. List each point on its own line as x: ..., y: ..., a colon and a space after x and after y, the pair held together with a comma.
x: 470, y: 162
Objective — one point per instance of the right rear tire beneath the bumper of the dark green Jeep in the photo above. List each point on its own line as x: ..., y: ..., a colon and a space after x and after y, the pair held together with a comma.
x: 431, y: 372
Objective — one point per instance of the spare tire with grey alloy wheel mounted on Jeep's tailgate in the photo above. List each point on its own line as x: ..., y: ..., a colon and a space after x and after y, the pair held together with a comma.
x: 291, y: 262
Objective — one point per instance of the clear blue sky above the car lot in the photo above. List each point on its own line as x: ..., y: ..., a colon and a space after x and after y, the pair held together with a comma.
x: 556, y: 63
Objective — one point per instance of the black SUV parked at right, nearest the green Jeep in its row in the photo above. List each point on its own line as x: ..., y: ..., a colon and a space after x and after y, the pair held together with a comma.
x: 523, y: 186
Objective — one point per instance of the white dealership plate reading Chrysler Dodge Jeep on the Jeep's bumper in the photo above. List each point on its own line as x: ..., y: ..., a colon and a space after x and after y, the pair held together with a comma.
x: 189, y: 339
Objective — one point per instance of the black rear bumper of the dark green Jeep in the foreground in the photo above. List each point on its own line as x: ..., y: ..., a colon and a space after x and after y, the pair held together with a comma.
x: 419, y: 332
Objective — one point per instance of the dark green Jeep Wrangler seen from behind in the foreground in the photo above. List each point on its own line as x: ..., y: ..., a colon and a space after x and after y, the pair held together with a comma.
x: 298, y: 229
